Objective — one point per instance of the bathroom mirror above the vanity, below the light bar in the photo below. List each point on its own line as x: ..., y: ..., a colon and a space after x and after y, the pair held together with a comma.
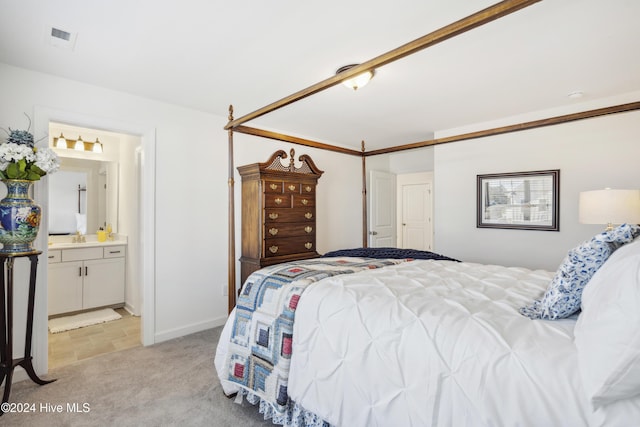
x: 83, y: 196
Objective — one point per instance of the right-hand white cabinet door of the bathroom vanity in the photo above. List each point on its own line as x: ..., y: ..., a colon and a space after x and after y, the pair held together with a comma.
x: 103, y: 282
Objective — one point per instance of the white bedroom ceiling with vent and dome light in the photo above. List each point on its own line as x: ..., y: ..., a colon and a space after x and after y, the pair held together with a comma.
x: 207, y: 54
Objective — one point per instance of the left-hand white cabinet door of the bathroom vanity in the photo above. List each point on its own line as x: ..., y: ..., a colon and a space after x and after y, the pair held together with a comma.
x: 65, y: 287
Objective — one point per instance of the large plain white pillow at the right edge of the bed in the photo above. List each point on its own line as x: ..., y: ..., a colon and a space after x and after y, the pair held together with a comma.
x: 607, y: 334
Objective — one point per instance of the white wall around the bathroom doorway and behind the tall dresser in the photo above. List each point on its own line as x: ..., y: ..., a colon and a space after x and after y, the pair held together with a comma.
x: 191, y: 193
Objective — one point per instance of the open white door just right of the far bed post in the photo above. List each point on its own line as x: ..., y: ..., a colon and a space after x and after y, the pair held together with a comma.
x: 382, y: 209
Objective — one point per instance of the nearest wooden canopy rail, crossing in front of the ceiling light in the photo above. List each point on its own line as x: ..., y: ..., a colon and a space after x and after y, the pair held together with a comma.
x: 465, y: 24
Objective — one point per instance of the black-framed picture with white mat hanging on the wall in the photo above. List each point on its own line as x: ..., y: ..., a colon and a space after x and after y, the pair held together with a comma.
x: 519, y: 200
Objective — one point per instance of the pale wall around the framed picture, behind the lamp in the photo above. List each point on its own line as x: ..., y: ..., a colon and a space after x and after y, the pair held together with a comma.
x: 591, y: 154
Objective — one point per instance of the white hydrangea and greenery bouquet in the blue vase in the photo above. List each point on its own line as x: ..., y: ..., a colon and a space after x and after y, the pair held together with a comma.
x: 20, y: 159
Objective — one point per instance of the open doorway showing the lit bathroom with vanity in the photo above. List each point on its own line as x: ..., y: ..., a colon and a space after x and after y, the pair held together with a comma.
x: 111, y: 203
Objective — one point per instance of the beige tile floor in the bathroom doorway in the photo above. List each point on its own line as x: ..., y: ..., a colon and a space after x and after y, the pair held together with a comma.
x: 71, y: 346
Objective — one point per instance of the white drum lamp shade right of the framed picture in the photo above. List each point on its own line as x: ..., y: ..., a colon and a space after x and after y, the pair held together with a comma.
x: 609, y: 207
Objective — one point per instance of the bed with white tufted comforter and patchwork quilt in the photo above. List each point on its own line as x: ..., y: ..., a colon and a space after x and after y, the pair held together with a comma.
x: 433, y: 342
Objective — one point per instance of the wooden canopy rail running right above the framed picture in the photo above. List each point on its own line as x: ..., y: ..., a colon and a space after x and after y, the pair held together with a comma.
x: 512, y: 128
